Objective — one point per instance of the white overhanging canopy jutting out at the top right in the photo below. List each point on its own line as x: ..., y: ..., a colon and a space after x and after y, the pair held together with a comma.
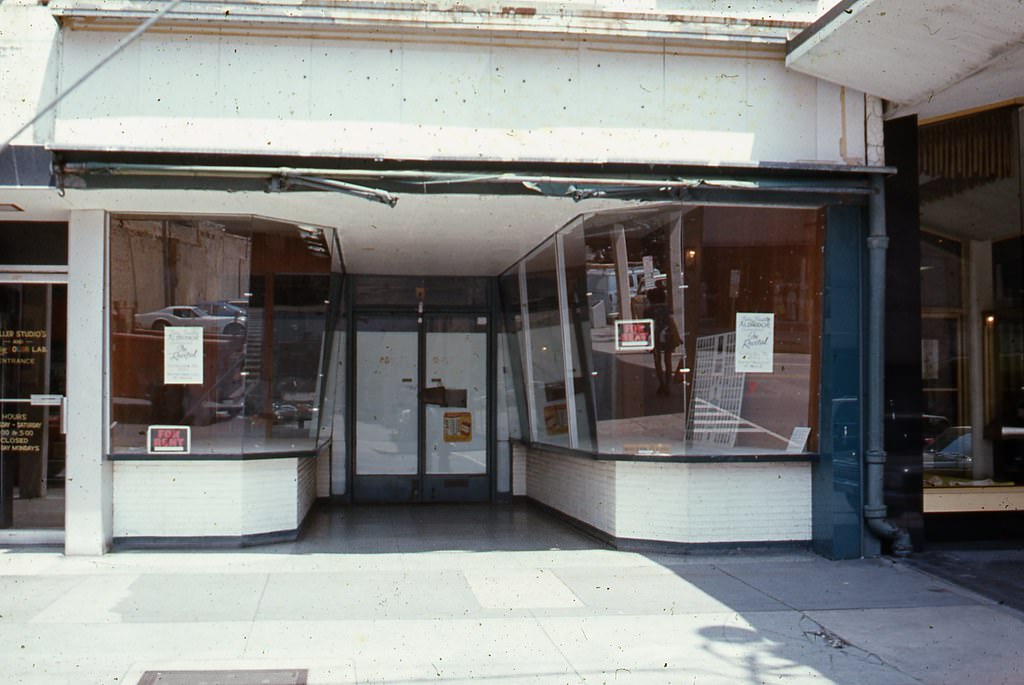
x: 930, y: 58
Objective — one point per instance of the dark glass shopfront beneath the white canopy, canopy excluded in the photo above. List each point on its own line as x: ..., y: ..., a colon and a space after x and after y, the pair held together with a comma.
x: 966, y: 233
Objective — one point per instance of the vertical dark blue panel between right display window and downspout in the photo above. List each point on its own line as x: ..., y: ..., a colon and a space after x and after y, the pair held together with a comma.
x: 837, y: 485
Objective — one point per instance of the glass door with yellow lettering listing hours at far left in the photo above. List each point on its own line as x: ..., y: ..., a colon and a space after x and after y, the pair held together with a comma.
x: 33, y: 331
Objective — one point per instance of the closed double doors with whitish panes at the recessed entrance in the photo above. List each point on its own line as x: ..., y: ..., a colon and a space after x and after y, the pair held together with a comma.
x: 421, y: 409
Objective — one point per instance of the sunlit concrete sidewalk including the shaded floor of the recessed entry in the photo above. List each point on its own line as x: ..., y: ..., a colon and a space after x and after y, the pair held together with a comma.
x: 500, y: 595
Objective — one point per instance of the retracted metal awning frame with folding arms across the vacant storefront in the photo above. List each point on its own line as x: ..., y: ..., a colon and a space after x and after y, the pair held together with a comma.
x: 385, y: 183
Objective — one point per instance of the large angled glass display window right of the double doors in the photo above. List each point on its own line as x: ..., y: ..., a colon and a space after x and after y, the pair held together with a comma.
x: 681, y: 330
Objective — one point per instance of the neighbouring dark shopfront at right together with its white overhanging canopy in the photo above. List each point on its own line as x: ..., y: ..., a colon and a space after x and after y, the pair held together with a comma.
x: 956, y: 220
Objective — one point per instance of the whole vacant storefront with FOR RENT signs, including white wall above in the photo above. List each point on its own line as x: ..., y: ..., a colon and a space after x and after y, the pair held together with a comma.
x: 596, y: 274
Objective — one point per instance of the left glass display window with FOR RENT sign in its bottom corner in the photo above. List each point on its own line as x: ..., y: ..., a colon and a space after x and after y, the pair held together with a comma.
x: 219, y: 329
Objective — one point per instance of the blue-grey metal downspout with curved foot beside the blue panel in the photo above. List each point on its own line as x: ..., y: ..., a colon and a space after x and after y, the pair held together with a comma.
x: 875, y: 458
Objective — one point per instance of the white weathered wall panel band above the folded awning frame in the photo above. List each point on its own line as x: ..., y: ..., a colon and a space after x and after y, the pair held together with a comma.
x: 404, y: 98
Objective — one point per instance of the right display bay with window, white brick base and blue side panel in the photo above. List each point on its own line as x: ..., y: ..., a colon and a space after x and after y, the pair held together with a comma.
x: 682, y: 370
